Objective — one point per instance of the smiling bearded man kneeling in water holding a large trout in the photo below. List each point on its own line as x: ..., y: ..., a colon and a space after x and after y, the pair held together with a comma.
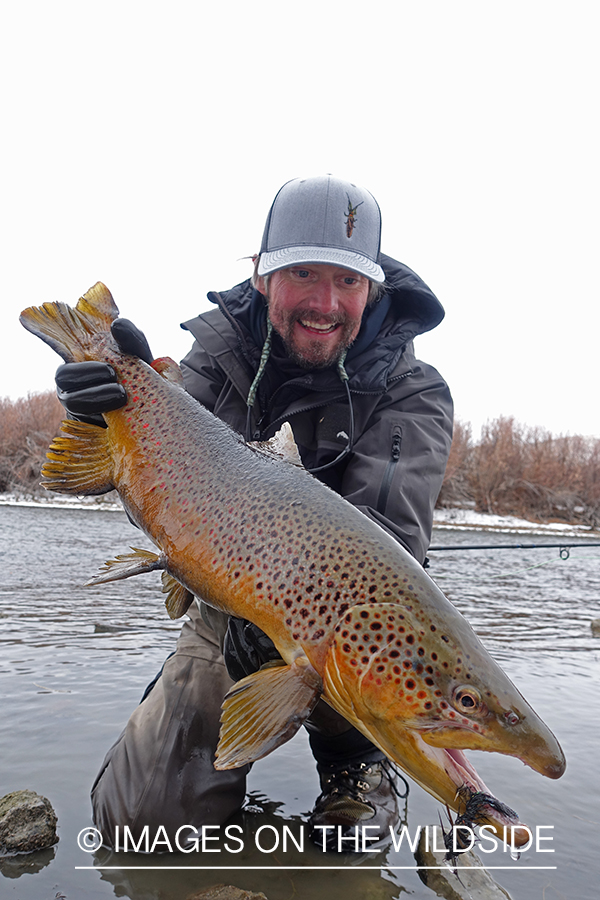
x: 315, y: 340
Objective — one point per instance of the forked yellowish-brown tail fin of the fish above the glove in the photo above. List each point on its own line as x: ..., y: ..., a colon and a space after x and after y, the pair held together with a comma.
x: 68, y: 330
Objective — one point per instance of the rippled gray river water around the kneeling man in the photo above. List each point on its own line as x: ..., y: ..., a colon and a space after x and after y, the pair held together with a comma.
x: 74, y: 662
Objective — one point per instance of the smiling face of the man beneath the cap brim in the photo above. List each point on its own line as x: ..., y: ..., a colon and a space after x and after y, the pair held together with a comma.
x: 317, y: 310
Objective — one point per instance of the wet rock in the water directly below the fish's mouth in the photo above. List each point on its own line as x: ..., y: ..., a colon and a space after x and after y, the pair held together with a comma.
x: 475, y: 882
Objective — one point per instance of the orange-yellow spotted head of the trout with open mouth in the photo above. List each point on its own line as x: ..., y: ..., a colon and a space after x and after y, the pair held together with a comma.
x: 422, y: 687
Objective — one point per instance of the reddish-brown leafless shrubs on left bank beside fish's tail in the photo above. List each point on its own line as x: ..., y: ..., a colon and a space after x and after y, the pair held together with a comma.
x: 27, y: 426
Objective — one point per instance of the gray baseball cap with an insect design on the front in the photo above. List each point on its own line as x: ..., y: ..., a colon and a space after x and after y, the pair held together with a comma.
x: 323, y: 220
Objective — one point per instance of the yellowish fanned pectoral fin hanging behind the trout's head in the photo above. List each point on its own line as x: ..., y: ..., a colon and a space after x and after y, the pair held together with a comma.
x: 264, y: 710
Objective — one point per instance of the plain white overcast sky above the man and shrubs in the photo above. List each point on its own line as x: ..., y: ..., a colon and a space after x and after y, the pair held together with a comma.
x: 142, y: 144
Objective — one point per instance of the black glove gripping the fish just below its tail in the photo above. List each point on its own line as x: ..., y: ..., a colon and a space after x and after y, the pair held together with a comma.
x: 87, y: 389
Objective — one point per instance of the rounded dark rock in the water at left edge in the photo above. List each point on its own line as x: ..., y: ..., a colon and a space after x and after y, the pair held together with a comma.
x: 27, y: 822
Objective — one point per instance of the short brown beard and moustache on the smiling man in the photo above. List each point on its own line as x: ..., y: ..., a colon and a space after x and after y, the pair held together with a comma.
x: 315, y: 354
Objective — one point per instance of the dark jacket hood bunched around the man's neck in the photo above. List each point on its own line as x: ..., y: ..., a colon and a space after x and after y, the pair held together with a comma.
x: 407, y: 308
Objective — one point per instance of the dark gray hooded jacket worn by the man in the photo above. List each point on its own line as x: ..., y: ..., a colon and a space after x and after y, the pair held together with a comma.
x: 402, y: 407
